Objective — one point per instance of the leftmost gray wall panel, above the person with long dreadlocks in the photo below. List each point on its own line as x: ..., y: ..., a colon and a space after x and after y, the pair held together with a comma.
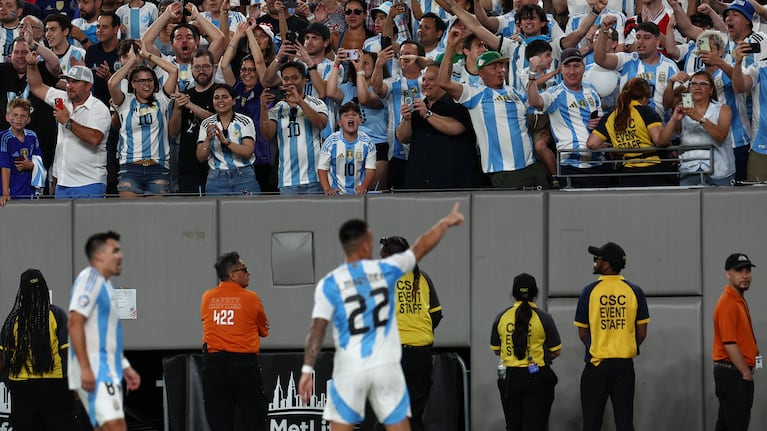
x: 35, y: 235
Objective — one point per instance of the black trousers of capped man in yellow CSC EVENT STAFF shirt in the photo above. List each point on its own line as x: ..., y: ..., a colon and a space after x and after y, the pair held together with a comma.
x: 613, y: 378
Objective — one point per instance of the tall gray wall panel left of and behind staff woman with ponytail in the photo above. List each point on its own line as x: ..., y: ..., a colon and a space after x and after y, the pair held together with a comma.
x: 507, y: 237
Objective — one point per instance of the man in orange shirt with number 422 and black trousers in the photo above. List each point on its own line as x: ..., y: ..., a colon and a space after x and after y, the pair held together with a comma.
x: 233, y: 322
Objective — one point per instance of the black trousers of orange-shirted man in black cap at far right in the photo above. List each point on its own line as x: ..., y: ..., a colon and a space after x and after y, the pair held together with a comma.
x: 736, y: 396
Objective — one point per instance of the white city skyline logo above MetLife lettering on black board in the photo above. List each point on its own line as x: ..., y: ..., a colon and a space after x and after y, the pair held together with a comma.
x: 287, y: 412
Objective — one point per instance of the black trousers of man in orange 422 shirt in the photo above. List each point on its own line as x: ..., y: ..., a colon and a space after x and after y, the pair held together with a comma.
x: 232, y: 382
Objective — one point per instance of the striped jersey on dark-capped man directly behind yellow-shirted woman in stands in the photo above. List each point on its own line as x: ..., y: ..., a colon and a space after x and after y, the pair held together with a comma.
x: 657, y: 75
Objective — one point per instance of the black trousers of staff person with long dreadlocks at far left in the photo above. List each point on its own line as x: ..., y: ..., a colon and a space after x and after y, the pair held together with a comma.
x: 43, y: 404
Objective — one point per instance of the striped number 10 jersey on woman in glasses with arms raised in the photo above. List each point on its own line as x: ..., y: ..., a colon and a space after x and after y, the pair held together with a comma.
x: 144, y: 129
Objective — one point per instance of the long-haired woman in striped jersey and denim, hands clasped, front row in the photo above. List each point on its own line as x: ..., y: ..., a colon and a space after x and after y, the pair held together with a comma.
x: 226, y: 142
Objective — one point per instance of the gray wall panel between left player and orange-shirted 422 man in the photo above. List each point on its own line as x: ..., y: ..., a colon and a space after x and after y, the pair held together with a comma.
x: 169, y: 248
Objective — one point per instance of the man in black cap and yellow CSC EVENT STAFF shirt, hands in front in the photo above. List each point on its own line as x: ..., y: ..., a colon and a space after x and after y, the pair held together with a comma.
x: 611, y: 318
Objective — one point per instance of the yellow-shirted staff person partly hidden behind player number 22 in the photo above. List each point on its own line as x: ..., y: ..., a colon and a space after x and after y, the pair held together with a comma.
x: 418, y: 313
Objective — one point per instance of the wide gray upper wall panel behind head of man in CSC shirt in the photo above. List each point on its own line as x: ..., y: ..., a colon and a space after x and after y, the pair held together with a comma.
x: 658, y: 230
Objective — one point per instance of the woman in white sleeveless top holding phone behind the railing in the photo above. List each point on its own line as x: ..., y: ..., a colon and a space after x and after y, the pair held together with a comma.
x: 707, y: 122
